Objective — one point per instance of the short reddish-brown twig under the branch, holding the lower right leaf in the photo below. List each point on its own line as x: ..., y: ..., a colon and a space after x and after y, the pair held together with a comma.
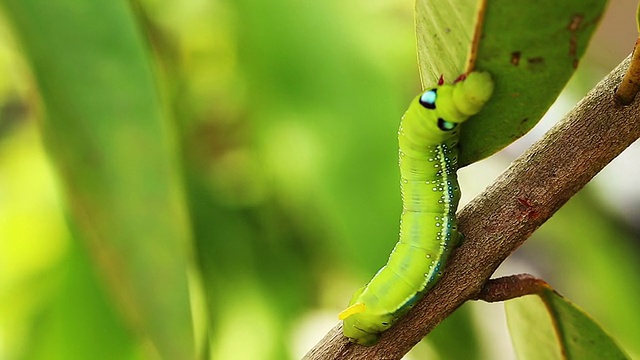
x: 511, y: 287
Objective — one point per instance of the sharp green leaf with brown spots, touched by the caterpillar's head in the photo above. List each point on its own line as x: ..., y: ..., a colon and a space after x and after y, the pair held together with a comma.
x: 530, y: 63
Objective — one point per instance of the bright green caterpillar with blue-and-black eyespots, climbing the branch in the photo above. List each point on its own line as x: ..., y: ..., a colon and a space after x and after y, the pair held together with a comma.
x: 428, y: 139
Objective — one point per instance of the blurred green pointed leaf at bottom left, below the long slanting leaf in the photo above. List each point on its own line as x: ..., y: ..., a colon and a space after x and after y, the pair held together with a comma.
x: 79, y: 322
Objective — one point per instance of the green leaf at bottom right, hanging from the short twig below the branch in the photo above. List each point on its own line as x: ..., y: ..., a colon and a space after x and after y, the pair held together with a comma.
x: 548, y: 326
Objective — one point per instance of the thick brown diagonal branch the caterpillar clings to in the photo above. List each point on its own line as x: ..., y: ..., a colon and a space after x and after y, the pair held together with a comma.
x: 499, y: 220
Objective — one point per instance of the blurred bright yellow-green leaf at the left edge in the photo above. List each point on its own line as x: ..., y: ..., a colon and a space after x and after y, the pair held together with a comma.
x: 28, y: 253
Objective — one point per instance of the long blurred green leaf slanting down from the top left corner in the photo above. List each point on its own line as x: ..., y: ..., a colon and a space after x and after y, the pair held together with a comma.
x: 109, y: 138
